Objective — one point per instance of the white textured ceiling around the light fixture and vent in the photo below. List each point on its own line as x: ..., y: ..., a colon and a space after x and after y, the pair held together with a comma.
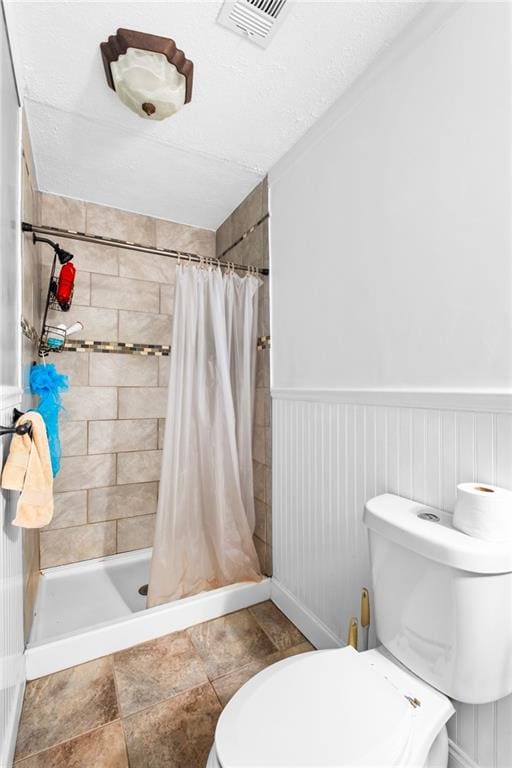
x: 249, y: 105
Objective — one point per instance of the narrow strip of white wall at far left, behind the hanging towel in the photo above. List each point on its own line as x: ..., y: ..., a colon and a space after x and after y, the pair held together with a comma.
x: 12, y: 663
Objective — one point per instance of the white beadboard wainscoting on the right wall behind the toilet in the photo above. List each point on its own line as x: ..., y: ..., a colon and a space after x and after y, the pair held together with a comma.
x: 333, y: 450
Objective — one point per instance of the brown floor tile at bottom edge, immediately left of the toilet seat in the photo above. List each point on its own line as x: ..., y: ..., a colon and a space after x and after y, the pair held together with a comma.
x: 177, y: 733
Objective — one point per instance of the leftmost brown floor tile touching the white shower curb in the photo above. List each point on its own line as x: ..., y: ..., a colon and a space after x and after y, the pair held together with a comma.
x: 60, y: 706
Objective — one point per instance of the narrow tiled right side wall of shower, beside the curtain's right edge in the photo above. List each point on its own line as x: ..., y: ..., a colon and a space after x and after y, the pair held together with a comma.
x: 253, y: 249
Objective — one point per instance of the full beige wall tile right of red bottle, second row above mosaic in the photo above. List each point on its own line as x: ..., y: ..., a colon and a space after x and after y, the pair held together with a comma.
x: 124, y: 293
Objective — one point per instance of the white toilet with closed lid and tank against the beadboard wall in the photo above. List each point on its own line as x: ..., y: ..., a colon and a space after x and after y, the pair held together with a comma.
x: 436, y: 594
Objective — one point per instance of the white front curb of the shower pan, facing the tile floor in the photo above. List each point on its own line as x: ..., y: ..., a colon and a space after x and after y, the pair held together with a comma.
x: 48, y: 657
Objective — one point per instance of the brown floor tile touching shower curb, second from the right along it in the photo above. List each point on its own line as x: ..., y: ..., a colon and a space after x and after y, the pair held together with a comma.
x: 230, y: 642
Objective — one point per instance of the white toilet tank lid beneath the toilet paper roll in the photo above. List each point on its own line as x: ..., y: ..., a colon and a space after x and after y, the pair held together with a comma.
x: 397, y: 519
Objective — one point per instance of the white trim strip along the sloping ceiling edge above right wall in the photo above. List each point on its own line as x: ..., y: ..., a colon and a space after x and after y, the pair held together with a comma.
x: 425, y: 24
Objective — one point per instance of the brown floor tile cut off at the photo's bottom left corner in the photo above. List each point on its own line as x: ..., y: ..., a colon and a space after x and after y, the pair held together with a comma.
x: 102, y: 748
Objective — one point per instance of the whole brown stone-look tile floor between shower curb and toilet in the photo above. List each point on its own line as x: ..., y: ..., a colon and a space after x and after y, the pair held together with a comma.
x: 154, y: 705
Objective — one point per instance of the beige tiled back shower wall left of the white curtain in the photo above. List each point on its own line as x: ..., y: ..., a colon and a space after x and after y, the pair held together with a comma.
x: 112, y: 430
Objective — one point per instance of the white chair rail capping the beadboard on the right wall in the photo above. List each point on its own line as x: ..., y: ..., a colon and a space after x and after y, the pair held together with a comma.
x: 452, y: 400
